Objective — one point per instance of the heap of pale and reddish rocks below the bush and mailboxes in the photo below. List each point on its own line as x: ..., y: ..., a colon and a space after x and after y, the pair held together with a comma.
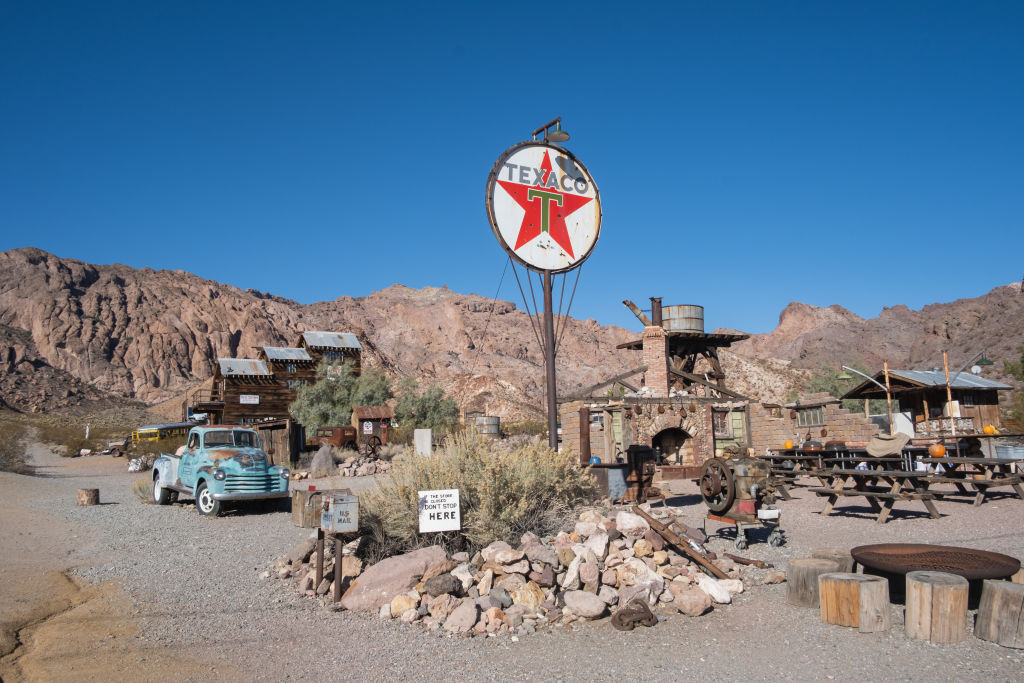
x: 606, y: 565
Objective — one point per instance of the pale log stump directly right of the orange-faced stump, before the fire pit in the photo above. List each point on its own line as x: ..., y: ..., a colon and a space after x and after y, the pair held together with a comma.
x: 936, y: 607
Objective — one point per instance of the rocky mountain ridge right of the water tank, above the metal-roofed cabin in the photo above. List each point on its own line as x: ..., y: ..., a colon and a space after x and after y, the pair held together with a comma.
x: 813, y: 337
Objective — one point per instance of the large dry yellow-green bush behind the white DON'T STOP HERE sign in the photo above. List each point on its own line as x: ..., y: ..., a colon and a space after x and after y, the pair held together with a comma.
x: 503, y: 495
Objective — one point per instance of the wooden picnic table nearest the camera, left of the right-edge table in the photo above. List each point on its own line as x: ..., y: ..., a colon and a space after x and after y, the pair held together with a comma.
x: 881, y: 488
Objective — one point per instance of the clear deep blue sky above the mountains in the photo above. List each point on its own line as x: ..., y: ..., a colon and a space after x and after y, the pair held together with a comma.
x: 749, y: 154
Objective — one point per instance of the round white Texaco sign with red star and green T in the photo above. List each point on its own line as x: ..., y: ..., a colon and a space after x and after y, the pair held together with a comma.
x: 544, y: 207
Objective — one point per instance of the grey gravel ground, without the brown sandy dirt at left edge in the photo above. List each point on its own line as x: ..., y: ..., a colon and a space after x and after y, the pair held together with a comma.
x: 196, y: 589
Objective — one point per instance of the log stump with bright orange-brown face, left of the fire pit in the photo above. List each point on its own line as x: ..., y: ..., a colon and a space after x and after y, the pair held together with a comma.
x: 857, y: 601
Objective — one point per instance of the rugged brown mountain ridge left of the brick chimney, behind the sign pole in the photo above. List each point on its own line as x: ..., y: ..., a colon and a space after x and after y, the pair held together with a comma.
x: 151, y: 335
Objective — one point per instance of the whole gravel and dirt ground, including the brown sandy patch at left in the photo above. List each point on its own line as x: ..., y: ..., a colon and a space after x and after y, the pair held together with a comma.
x: 132, y: 591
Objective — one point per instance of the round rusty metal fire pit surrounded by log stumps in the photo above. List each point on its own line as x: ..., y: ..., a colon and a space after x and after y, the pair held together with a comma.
x: 894, y: 561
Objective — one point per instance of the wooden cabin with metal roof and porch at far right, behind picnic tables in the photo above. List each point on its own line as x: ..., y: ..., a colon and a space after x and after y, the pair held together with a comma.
x: 922, y: 396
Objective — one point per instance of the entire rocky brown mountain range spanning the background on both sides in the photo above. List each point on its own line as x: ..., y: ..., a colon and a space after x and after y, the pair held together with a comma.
x: 72, y: 333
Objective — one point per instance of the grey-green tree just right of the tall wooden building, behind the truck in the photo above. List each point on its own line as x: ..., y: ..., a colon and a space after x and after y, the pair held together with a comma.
x: 329, y: 403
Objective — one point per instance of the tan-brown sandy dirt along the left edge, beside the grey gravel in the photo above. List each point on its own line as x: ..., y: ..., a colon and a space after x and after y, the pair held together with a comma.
x: 54, y: 628
